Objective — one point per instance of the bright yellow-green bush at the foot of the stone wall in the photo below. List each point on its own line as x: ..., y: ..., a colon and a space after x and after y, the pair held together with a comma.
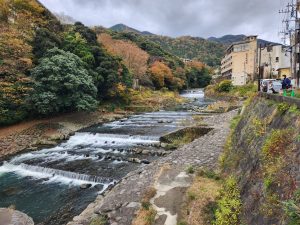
x: 229, y: 205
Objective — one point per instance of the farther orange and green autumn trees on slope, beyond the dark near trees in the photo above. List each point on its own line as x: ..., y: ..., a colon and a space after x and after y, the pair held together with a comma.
x: 164, y: 69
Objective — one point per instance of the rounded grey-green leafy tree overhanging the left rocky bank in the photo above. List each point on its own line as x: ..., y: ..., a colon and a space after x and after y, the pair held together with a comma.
x: 62, y: 84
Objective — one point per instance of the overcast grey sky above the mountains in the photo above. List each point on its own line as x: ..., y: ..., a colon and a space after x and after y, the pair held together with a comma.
x: 201, y: 18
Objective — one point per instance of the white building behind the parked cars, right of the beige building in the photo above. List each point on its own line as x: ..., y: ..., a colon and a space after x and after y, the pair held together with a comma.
x: 275, y: 59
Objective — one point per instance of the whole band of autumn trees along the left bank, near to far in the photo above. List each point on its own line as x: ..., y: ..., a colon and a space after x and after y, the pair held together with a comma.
x: 47, y: 68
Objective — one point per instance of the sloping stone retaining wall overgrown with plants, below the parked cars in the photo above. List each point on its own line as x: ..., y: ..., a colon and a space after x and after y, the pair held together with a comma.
x: 263, y: 153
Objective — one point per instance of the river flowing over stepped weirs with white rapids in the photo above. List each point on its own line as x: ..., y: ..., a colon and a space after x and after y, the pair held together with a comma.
x: 48, y: 184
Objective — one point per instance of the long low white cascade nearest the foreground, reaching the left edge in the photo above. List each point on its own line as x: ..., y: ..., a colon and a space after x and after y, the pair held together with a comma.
x: 63, y: 176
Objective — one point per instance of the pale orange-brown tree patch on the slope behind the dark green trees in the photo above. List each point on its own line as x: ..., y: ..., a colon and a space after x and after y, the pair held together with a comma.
x: 133, y: 57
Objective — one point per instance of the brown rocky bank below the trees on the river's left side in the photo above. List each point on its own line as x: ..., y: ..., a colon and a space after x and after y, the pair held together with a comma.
x: 36, y: 134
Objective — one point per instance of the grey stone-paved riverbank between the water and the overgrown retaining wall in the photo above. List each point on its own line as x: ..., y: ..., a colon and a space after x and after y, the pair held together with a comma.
x: 167, y: 176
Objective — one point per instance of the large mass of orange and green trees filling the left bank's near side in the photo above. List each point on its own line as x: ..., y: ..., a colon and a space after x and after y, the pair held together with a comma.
x: 46, y: 68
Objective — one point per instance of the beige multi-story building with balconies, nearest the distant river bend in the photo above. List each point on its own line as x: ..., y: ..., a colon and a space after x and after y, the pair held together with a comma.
x: 240, y: 61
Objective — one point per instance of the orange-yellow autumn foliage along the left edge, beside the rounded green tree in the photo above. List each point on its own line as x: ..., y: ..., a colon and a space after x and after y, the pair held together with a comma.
x: 18, y: 22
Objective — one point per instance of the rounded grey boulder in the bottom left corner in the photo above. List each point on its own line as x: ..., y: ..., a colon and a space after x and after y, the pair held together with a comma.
x: 13, y: 217
